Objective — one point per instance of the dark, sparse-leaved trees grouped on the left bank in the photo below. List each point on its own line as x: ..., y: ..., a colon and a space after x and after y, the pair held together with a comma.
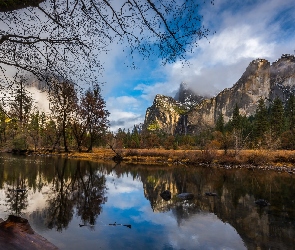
x: 77, y: 118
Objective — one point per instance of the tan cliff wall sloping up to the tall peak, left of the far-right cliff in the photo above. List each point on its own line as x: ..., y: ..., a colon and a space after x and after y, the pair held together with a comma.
x: 253, y: 85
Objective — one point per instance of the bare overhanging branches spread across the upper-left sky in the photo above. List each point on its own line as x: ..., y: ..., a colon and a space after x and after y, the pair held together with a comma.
x: 49, y: 37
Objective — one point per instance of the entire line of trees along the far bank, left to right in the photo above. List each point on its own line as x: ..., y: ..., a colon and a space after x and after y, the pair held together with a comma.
x: 78, y: 120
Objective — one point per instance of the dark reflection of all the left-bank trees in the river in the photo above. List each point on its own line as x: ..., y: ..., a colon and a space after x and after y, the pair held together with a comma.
x: 73, y: 184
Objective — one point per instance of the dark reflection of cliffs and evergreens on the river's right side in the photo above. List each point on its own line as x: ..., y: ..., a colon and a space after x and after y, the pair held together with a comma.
x: 264, y: 227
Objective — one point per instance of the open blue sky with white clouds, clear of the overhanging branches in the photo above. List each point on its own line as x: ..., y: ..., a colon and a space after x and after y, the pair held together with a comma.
x: 241, y: 31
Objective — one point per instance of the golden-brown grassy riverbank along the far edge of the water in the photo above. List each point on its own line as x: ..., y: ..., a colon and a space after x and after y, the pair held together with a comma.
x: 247, y: 158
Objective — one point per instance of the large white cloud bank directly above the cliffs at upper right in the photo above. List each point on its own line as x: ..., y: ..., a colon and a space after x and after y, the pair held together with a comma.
x: 243, y: 35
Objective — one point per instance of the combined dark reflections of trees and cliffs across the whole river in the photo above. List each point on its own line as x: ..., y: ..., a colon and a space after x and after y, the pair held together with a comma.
x: 82, y: 185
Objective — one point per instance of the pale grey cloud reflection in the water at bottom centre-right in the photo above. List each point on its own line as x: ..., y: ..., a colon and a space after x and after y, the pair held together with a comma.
x: 201, y: 231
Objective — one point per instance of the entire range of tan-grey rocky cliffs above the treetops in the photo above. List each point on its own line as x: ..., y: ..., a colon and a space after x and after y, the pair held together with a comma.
x: 260, y: 80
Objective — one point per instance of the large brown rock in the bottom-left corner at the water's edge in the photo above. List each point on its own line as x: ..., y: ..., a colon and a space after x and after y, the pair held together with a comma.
x: 17, y: 234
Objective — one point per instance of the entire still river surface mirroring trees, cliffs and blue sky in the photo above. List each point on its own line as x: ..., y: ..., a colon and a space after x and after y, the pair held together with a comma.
x: 85, y: 205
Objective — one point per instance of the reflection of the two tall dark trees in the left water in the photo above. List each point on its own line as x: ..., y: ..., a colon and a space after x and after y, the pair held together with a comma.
x: 79, y: 187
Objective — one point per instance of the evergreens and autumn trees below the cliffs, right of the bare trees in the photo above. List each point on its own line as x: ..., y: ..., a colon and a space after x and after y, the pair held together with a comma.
x: 271, y: 127
